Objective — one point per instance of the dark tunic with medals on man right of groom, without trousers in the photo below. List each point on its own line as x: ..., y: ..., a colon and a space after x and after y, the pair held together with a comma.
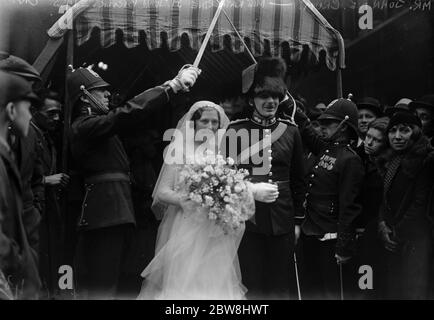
x: 333, y: 186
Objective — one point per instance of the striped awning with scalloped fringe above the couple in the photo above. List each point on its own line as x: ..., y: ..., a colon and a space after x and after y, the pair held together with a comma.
x: 267, y: 23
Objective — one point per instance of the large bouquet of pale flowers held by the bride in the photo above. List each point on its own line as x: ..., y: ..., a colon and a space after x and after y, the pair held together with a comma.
x: 214, y: 184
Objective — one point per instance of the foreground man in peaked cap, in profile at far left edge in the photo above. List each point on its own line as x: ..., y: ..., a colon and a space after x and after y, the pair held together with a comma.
x: 17, y: 262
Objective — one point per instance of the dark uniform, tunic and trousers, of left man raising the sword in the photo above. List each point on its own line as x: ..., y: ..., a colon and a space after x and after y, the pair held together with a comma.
x: 107, y: 218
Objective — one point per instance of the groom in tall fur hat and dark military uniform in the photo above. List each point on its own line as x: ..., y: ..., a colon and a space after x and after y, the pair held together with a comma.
x: 266, y: 250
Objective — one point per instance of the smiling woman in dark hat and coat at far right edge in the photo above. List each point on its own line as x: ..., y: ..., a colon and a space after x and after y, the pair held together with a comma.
x: 405, y: 225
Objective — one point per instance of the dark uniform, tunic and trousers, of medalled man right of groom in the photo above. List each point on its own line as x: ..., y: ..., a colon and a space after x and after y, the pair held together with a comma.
x: 332, y: 205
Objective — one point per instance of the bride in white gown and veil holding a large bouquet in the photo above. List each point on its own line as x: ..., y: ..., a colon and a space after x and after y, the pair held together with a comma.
x: 194, y: 259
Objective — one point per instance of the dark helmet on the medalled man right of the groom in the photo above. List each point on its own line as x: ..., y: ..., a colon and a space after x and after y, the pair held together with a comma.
x: 339, y: 109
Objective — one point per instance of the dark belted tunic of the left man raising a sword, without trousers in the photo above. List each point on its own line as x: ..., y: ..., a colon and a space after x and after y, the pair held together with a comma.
x: 102, y: 160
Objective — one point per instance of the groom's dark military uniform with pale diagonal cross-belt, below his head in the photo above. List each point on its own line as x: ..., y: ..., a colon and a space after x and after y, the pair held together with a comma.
x: 266, y: 249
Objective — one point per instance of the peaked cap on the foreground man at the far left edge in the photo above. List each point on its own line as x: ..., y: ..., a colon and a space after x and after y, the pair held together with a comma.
x: 13, y: 88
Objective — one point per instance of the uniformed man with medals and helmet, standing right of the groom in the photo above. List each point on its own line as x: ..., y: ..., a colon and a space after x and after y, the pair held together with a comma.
x: 333, y: 186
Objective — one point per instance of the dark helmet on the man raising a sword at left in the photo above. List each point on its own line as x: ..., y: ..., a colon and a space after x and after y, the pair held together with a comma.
x: 83, y: 77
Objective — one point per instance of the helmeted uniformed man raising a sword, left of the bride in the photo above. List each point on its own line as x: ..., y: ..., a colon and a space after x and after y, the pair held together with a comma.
x: 107, y: 217
